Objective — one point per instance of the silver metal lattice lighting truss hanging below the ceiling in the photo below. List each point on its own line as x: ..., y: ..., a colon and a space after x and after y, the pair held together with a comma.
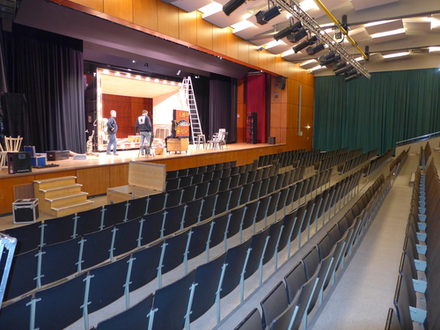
x: 292, y: 7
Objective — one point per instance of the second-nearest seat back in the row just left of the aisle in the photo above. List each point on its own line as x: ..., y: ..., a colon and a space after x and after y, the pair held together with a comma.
x: 274, y: 304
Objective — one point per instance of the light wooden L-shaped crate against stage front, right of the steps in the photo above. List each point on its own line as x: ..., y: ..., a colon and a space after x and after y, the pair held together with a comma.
x: 144, y: 179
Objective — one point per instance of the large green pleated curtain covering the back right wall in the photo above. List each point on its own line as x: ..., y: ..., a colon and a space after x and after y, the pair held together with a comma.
x: 376, y: 113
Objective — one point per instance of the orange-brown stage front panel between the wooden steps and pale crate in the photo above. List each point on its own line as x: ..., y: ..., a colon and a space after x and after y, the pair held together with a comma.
x: 95, y: 180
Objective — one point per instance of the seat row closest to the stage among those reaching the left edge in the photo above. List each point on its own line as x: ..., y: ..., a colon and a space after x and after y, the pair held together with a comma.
x: 56, y: 230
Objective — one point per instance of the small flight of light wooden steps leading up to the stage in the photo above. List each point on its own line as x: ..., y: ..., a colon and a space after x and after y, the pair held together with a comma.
x: 61, y: 196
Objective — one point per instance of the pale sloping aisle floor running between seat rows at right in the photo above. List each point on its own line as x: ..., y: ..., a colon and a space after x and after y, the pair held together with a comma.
x: 365, y: 291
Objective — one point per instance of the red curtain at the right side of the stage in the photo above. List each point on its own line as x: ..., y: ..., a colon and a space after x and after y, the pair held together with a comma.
x: 256, y: 102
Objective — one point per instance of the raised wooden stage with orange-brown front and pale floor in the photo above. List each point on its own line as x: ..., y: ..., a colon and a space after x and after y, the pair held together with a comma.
x: 97, y: 173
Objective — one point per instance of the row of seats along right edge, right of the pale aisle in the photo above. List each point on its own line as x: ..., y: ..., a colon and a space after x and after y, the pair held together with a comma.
x: 416, y: 297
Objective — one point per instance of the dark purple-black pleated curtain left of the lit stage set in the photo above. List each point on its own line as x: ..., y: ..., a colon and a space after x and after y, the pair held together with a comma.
x: 48, y: 69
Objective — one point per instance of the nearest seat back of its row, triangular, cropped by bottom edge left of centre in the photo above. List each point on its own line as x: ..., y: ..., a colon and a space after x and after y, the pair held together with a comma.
x: 134, y: 318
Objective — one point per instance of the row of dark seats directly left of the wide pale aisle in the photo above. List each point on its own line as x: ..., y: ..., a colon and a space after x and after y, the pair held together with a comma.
x: 295, y: 302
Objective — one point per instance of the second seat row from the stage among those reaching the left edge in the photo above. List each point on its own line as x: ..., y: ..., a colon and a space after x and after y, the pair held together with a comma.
x: 89, y: 249
